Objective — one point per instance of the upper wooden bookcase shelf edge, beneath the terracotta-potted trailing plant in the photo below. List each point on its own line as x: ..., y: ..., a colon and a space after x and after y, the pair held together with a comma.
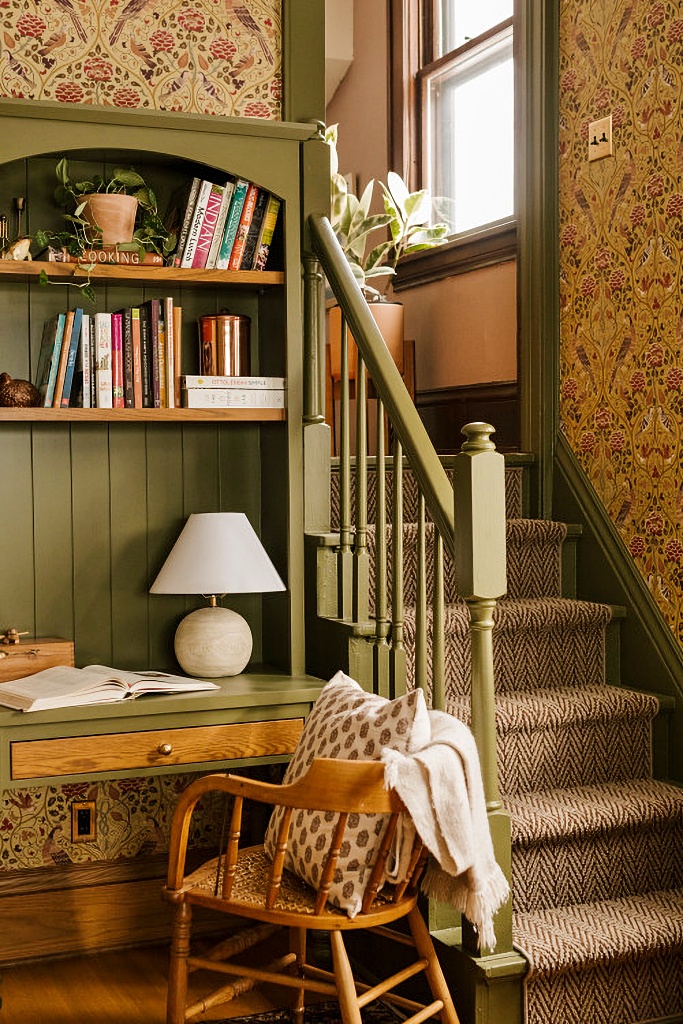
x: 144, y: 274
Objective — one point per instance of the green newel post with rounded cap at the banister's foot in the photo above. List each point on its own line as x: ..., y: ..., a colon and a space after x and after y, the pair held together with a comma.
x: 481, y: 571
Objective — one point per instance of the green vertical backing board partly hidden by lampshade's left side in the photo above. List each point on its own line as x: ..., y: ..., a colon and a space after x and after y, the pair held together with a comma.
x: 165, y: 521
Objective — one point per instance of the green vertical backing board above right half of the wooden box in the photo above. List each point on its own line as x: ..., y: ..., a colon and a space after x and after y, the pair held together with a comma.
x: 54, y: 530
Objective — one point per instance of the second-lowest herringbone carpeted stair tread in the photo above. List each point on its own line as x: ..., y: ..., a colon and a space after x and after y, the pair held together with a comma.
x: 553, y: 815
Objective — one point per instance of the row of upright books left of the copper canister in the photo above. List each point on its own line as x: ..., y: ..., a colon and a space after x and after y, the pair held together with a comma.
x: 123, y: 360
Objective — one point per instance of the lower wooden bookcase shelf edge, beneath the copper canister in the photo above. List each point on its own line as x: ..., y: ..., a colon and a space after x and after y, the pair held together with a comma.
x: 14, y: 415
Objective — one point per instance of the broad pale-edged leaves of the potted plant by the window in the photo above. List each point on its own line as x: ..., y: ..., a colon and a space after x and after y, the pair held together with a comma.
x: 407, y: 221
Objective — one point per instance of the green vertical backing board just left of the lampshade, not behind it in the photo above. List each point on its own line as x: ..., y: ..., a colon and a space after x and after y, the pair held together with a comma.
x: 130, y: 545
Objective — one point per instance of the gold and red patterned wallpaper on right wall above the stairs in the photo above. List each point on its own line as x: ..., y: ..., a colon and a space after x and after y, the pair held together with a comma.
x: 622, y: 275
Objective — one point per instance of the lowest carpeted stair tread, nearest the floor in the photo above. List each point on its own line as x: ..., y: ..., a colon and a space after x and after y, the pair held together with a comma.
x: 578, y: 937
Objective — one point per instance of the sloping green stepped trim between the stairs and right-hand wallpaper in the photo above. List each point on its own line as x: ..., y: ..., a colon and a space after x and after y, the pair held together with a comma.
x: 651, y: 657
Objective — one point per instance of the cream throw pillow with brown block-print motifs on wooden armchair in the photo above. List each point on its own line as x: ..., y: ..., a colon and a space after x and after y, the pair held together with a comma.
x: 349, y: 723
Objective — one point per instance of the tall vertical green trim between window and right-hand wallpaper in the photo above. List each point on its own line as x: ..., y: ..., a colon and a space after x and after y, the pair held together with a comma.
x: 537, y: 37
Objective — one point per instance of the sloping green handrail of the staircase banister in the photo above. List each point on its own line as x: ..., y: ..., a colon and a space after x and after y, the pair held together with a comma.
x: 404, y: 416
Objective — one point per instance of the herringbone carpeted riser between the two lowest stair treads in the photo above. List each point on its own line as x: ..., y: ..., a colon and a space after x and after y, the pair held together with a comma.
x: 585, y: 870
